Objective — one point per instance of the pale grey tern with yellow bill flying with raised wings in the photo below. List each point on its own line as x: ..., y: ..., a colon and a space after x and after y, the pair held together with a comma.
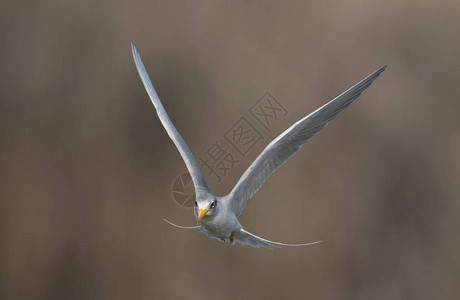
x: 218, y: 216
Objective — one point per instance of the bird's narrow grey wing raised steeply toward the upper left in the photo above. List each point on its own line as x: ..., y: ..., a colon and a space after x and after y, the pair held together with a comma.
x: 187, y: 156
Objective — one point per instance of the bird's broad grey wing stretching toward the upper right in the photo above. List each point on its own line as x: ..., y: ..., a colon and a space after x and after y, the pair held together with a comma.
x: 289, y: 142
